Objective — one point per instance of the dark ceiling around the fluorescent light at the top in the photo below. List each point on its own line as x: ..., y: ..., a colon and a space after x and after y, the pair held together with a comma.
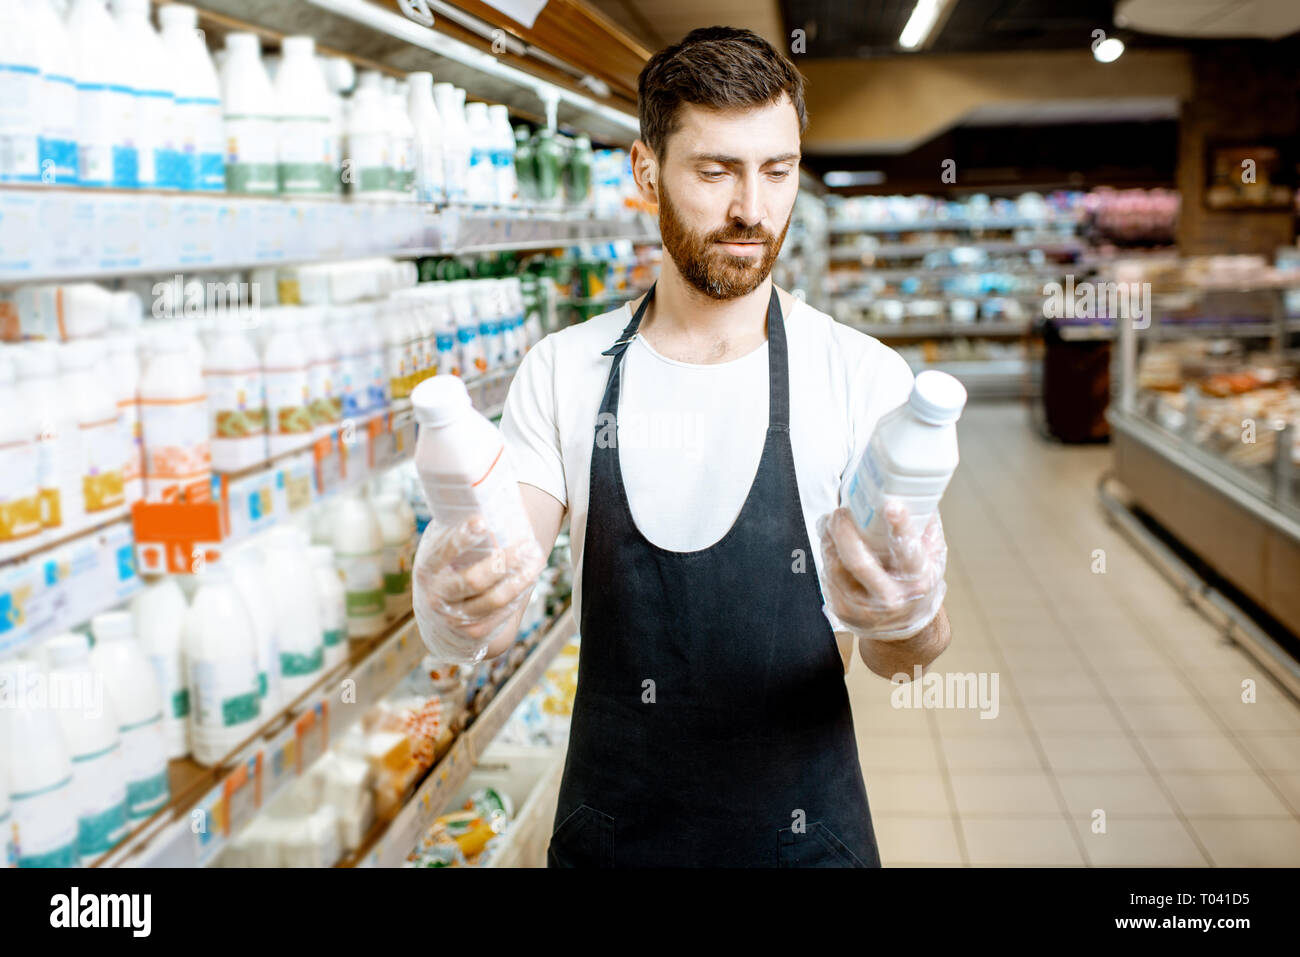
x: 872, y: 28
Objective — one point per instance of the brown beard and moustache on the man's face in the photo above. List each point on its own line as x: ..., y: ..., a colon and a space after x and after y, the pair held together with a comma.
x: 713, y: 271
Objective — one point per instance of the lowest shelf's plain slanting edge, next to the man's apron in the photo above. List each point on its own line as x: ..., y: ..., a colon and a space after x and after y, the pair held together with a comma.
x: 391, y: 843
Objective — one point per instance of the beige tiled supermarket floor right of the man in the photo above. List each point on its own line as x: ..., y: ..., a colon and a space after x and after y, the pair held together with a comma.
x: 1121, y: 737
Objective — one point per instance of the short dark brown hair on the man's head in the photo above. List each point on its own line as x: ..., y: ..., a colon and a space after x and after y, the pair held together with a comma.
x: 717, y: 67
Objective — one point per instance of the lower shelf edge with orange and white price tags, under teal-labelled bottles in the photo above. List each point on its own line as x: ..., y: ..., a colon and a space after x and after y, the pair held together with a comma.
x: 266, y: 767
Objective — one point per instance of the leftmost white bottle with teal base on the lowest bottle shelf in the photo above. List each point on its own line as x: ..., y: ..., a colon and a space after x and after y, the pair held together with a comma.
x: 42, y: 799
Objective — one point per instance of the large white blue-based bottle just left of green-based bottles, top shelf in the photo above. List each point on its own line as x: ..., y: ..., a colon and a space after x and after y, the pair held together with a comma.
x: 201, y: 135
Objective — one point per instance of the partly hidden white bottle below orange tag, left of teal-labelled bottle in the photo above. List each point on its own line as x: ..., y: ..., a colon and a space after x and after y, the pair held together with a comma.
x: 158, y: 616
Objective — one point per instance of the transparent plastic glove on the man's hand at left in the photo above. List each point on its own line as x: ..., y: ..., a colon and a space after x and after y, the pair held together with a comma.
x: 466, y: 594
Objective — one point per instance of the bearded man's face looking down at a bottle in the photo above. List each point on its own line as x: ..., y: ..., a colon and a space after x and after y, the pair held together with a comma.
x: 727, y: 188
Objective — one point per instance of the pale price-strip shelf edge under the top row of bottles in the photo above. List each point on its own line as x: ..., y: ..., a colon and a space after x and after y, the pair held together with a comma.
x: 57, y: 235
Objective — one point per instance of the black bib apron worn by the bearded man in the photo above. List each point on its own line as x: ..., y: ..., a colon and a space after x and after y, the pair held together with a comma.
x: 712, y: 725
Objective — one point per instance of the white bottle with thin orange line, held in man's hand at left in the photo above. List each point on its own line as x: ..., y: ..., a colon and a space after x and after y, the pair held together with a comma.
x: 463, y: 466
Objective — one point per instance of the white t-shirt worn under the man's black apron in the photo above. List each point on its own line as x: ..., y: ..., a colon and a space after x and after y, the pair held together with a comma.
x: 691, y: 436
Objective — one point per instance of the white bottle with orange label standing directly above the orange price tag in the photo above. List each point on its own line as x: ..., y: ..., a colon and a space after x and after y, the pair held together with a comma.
x: 175, y: 425
